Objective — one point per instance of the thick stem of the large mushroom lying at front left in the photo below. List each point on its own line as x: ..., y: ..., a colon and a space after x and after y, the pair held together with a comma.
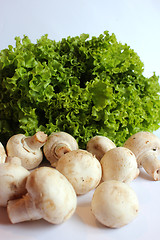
x: 23, y: 209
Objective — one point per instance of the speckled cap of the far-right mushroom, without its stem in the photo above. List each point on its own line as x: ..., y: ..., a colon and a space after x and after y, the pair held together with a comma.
x: 142, y: 142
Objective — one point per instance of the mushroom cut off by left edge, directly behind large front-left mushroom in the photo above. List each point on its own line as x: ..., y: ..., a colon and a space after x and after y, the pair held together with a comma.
x: 12, y: 181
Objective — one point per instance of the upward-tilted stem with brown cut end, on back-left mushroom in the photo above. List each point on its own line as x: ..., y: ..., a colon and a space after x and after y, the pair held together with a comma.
x: 36, y: 141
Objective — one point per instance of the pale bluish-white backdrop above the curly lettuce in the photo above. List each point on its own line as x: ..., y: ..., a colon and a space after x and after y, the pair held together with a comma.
x: 135, y: 22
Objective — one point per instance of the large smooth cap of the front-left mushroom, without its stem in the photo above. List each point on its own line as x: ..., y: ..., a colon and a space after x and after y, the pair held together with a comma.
x: 53, y: 196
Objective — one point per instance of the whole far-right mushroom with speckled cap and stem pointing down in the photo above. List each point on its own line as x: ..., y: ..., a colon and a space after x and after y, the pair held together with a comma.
x: 146, y: 147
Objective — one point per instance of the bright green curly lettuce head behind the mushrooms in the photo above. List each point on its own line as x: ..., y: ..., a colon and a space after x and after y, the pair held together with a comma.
x: 83, y: 86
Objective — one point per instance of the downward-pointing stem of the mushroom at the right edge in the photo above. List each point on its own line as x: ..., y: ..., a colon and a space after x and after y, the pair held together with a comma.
x: 150, y: 162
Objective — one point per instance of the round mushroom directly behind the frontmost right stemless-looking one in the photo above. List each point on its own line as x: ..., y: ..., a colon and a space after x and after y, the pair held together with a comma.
x: 119, y: 164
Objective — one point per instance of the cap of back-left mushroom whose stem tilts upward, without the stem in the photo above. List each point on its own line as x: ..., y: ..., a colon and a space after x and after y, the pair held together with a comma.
x: 16, y: 147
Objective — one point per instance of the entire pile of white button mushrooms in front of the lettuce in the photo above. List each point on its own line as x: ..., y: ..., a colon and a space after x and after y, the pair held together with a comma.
x: 31, y: 191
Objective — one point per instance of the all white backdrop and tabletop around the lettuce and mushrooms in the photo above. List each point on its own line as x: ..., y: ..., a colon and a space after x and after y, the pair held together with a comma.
x: 134, y: 22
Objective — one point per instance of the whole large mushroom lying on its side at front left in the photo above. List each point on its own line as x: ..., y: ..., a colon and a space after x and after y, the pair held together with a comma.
x: 50, y: 196
